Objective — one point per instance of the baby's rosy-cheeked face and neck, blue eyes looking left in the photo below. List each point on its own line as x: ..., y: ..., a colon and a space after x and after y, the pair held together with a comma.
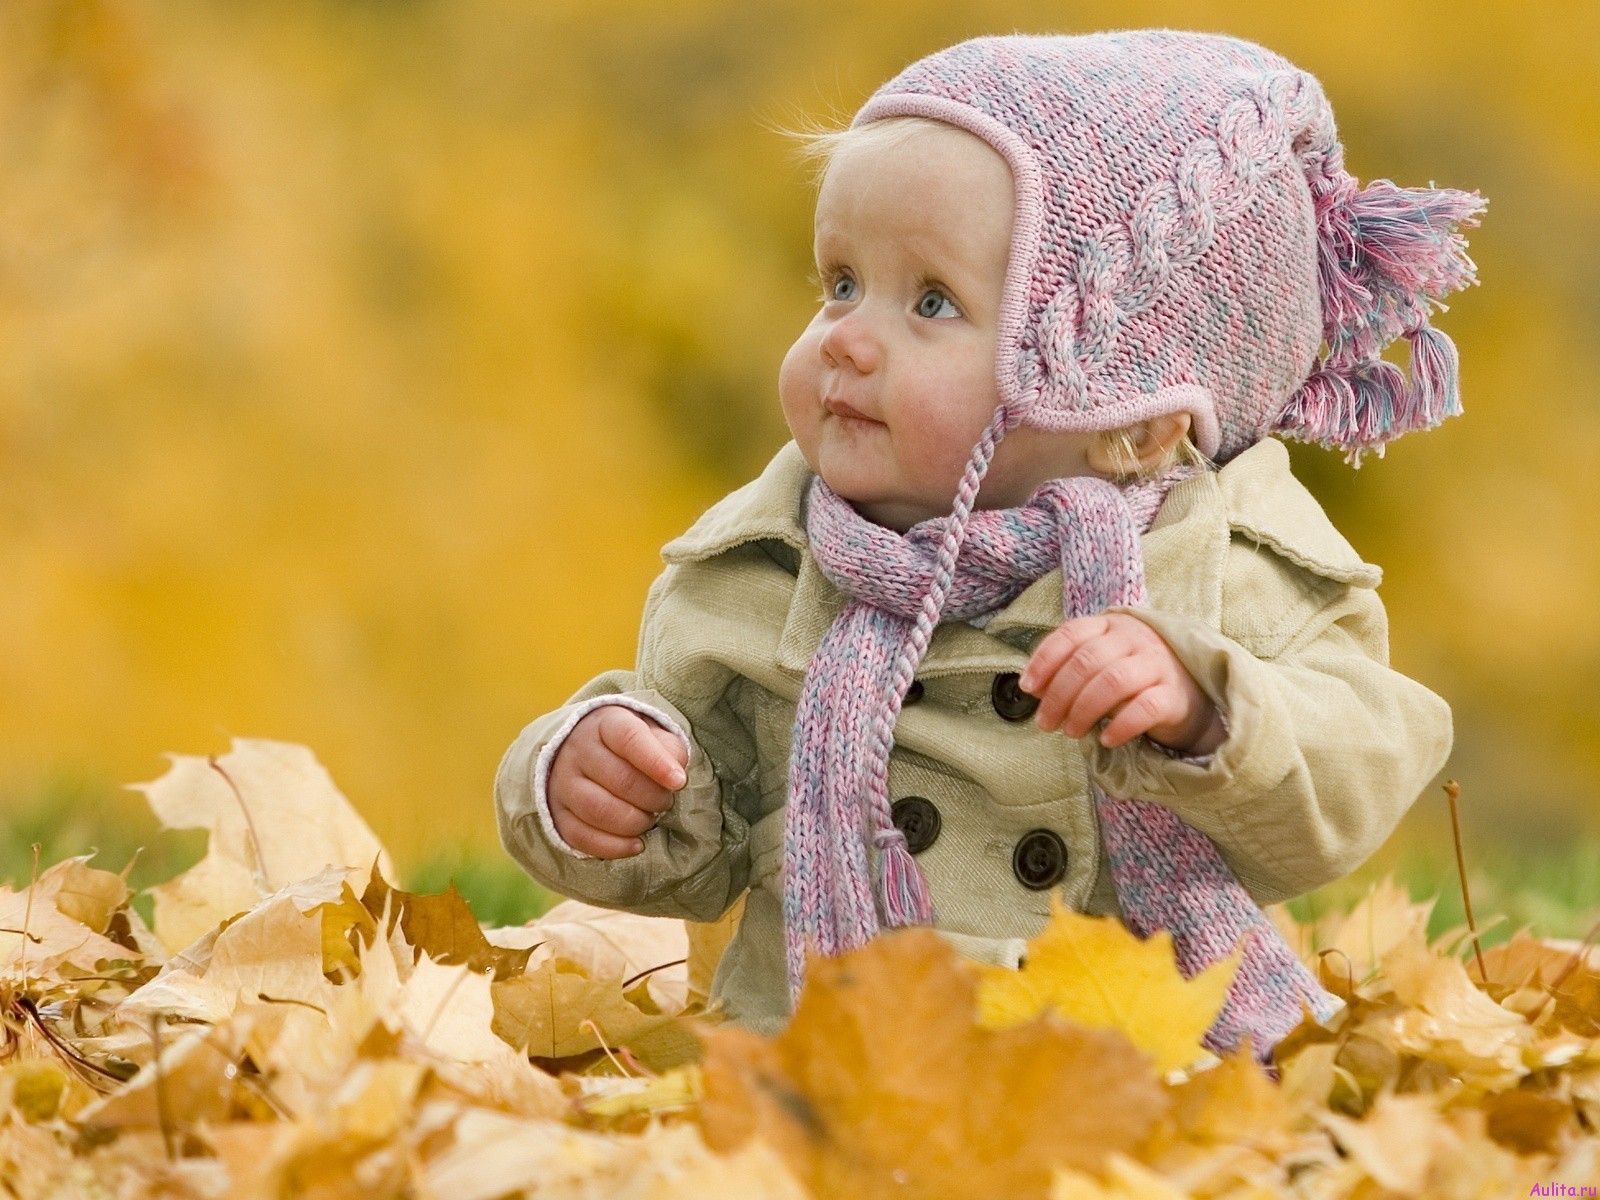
x: 911, y: 247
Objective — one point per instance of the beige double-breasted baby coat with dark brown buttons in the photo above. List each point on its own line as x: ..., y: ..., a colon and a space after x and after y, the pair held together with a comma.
x: 1262, y: 599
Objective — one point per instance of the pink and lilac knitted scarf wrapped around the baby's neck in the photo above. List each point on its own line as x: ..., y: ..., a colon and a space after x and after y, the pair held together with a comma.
x: 1167, y: 874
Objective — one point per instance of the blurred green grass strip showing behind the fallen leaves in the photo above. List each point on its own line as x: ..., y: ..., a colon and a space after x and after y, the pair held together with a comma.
x: 1554, y: 887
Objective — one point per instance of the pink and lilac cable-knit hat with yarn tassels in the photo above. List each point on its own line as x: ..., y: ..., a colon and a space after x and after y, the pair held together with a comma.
x: 1186, y: 239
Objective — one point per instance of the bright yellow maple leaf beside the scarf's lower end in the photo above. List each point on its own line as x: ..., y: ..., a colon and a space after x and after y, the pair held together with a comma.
x: 1095, y: 972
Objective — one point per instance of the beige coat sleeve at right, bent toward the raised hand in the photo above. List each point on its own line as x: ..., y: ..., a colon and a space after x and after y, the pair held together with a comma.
x: 1327, y: 746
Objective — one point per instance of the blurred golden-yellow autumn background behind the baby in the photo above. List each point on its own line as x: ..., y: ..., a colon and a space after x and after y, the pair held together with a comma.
x: 358, y: 358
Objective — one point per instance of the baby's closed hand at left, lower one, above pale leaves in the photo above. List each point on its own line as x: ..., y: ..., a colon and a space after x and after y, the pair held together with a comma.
x: 612, y: 780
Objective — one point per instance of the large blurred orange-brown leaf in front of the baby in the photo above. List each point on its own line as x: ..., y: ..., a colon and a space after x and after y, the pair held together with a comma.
x: 886, y: 1081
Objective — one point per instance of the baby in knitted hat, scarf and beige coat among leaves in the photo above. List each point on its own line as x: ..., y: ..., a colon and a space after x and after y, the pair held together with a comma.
x: 1033, y: 604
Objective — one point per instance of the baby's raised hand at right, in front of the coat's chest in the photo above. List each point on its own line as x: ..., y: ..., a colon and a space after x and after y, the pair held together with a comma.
x: 1094, y: 666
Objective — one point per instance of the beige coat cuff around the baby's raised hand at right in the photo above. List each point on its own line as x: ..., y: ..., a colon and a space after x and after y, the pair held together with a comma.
x: 1257, y: 753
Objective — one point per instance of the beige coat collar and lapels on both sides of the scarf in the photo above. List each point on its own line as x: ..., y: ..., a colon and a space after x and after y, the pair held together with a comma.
x: 1254, y: 495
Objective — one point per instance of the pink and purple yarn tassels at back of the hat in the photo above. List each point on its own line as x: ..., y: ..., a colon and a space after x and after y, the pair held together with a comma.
x: 1385, y: 255
